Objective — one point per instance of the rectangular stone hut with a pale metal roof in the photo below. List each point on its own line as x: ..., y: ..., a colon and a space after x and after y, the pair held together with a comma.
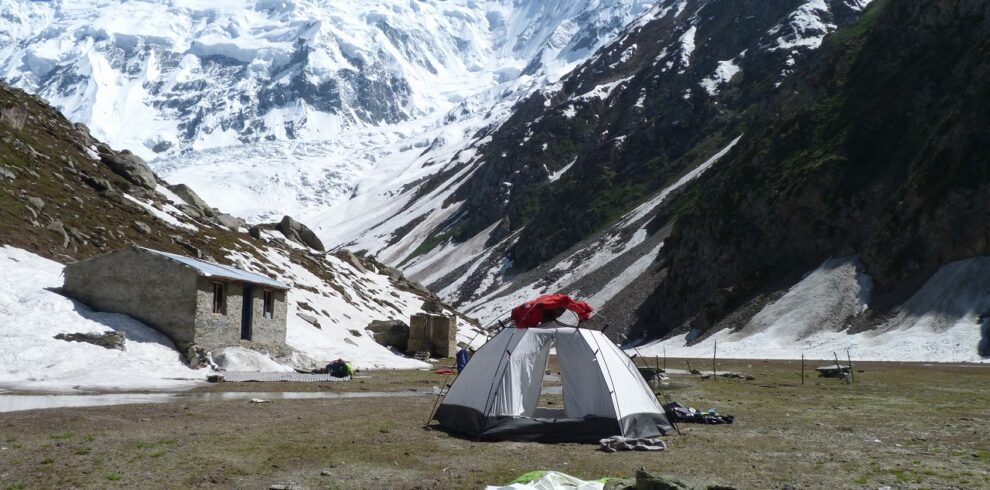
x: 193, y: 302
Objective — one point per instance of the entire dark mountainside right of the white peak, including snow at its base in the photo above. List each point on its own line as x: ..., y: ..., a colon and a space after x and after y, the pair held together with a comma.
x: 793, y: 190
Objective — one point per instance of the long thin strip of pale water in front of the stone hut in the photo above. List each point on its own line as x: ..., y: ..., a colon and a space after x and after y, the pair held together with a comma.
x: 13, y: 403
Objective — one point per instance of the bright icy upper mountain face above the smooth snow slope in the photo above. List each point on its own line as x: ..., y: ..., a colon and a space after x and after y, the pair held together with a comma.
x: 163, y: 77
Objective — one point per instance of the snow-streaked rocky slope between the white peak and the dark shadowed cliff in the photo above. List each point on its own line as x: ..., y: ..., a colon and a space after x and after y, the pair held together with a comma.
x: 560, y: 181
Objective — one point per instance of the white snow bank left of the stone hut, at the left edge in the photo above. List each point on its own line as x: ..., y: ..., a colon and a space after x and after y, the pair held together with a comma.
x: 31, y: 359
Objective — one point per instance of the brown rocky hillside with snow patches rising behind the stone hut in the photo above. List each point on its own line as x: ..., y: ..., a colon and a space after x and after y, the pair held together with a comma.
x: 66, y: 196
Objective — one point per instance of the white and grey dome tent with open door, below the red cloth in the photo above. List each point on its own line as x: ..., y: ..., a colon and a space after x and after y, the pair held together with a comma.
x: 496, y: 396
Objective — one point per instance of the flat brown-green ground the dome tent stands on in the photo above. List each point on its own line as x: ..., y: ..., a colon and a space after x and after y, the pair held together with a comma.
x: 898, y: 425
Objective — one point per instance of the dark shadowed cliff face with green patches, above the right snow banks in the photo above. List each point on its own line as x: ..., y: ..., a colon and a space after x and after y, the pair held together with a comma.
x: 878, y: 147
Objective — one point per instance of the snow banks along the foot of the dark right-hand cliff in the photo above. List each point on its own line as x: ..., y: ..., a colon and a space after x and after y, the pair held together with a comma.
x: 945, y: 321
